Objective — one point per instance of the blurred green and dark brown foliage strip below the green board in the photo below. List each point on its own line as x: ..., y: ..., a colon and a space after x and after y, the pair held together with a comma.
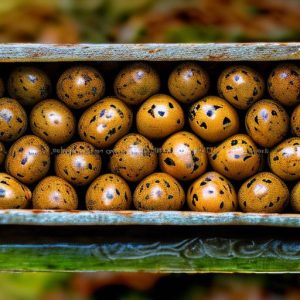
x: 122, y: 286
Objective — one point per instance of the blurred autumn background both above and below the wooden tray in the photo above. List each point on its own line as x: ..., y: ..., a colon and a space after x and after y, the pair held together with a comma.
x: 144, y: 21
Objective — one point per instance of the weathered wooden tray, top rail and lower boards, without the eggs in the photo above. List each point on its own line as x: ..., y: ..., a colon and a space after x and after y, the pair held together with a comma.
x: 33, y: 240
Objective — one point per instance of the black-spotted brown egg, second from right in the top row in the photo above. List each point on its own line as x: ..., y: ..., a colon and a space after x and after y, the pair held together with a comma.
x: 241, y: 86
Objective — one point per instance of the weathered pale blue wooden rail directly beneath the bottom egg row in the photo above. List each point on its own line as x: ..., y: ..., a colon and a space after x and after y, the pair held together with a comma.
x: 186, y: 218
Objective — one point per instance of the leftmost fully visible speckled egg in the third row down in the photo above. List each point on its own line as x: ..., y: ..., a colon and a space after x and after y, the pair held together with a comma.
x: 28, y: 159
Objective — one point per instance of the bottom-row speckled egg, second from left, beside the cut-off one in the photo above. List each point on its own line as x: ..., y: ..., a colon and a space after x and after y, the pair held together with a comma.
x: 54, y: 193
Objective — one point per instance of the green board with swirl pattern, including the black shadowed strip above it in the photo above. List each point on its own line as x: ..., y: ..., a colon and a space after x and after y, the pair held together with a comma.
x: 147, y: 249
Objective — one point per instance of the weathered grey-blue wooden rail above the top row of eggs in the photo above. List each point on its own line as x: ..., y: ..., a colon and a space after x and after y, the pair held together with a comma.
x: 149, y: 52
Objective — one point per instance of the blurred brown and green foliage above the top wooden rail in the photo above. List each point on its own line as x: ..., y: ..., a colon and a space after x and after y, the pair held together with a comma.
x: 127, y: 21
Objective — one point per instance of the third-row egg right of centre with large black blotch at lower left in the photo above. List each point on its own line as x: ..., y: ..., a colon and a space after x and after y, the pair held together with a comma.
x: 183, y: 156
